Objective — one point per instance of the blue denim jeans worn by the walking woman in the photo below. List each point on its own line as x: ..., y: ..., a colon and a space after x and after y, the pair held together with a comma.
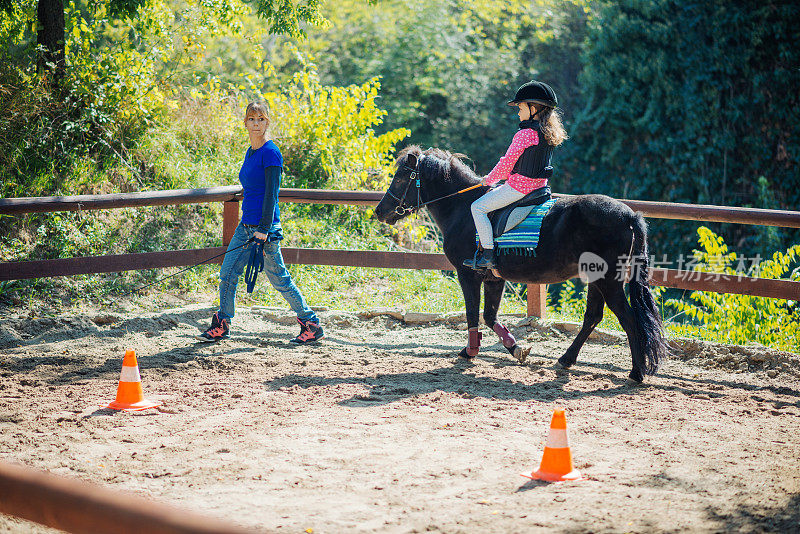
x: 234, y: 264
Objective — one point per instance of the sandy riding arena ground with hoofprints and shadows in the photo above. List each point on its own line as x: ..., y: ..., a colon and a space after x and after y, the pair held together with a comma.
x: 381, y: 428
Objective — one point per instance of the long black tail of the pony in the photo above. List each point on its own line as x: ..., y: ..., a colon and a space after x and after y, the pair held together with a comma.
x: 650, y: 332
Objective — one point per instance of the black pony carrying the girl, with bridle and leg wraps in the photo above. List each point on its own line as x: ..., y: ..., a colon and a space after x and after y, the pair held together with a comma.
x: 574, y: 226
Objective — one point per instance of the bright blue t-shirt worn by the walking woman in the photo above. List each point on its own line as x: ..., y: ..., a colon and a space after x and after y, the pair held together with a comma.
x: 253, y: 179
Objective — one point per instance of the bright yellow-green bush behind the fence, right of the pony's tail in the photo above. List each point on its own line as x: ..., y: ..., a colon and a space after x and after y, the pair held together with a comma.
x: 743, y: 319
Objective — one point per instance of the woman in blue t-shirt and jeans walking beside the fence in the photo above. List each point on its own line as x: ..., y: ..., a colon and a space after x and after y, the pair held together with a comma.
x: 260, y: 176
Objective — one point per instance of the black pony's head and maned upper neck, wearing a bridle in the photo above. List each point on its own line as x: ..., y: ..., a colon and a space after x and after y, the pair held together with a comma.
x: 419, y: 176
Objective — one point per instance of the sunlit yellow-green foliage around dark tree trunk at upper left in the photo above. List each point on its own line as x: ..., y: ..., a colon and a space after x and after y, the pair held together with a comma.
x: 47, y: 131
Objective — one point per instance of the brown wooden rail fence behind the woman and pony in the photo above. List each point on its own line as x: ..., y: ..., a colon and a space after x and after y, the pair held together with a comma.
x: 230, y: 196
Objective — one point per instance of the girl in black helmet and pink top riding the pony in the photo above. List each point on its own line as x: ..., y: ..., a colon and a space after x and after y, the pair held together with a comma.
x: 524, y: 164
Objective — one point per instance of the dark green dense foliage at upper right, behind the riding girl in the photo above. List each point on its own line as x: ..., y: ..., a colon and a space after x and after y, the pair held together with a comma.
x: 689, y: 102
